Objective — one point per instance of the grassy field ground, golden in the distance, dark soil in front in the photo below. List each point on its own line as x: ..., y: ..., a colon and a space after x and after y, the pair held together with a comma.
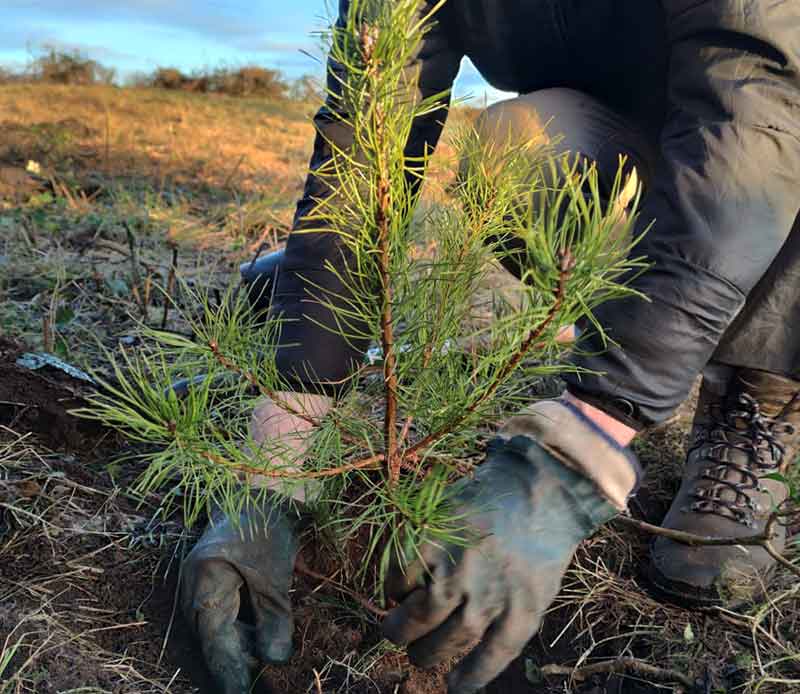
x: 121, y: 183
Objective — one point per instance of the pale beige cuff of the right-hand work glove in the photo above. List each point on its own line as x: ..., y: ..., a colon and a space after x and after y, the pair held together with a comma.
x: 579, y: 444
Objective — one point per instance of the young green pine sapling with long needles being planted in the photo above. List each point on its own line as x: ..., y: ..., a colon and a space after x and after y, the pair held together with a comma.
x: 381, y: 466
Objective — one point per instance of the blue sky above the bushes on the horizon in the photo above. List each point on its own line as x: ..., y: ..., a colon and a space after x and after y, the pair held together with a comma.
x: 136, y: 35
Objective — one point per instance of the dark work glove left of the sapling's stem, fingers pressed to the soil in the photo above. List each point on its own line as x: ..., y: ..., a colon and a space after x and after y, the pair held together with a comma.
x: 260, y: 553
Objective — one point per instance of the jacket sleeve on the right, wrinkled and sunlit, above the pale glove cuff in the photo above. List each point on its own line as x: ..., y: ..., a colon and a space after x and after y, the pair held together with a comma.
x: 724, y: 202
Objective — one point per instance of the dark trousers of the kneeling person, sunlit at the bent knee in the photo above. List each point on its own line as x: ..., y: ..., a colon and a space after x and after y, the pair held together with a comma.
x: 766, y: 333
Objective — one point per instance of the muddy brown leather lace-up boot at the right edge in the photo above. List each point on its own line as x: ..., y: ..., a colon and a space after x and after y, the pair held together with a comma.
x: 746, y: 427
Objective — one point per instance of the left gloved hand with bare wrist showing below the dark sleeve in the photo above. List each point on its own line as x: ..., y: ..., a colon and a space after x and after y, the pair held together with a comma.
x: 259, y: 553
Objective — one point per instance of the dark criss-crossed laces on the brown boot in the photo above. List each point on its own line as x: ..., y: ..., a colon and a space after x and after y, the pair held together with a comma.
x: 745, y: 429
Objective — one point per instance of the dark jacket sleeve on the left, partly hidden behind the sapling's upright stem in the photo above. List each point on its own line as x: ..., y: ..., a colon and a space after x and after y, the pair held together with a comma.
x: 312, y: 354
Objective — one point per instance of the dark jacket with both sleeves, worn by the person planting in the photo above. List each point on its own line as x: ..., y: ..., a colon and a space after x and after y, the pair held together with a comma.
x: 717, y: 80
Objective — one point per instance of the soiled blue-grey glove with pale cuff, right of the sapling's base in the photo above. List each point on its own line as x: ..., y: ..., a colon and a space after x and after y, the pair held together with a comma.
x: 548, y: 482
